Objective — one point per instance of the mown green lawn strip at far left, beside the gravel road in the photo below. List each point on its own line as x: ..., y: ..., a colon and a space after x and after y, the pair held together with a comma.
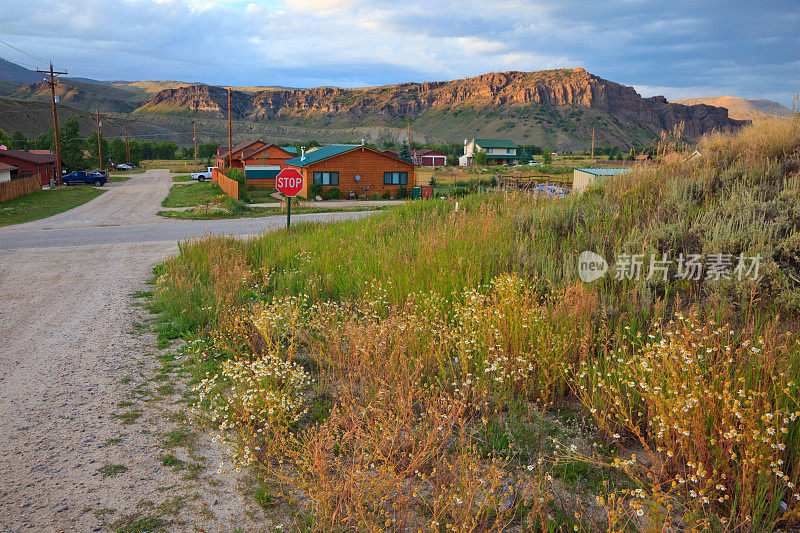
x: 42, y: 204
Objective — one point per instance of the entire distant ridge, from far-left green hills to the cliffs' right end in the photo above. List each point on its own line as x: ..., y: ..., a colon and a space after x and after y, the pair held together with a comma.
x: 560, y: 108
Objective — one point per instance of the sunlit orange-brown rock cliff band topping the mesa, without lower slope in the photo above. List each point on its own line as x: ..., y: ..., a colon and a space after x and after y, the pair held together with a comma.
x: 489, y: 92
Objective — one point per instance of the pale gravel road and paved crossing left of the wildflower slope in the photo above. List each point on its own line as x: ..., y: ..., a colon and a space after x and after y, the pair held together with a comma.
x: 72, y: 350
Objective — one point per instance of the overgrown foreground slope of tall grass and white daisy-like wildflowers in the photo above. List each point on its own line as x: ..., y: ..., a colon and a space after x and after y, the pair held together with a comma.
x: 427, y: 369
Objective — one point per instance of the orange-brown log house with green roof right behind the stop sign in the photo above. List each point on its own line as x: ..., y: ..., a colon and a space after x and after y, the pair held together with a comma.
x: 357, y: 171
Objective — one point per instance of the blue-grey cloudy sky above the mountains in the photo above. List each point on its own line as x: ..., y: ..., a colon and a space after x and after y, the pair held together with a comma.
x: 678, y: 48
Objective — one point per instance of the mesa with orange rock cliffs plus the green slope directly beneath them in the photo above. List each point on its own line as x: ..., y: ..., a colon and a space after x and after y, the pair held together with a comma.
x: 556, y: 107
